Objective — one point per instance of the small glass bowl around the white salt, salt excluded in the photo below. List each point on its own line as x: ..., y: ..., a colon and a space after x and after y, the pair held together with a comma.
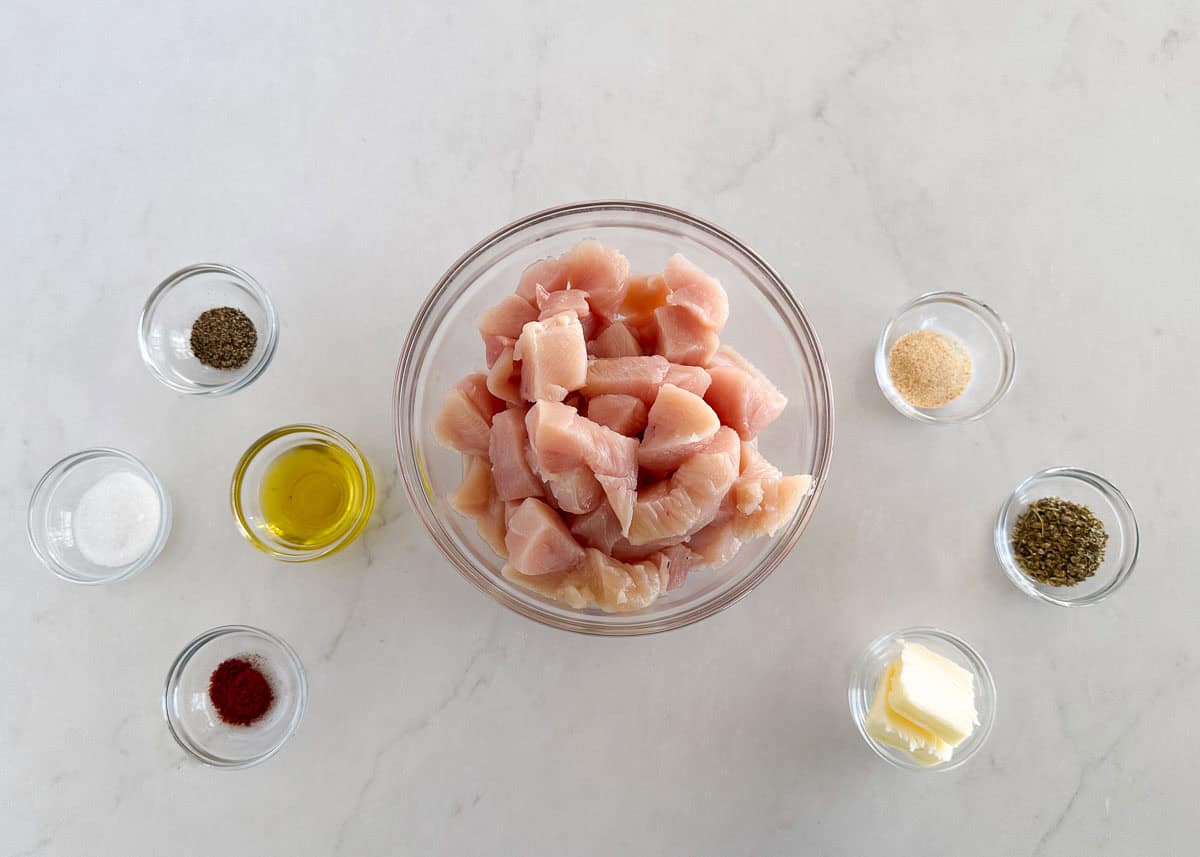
x: 52, y: 510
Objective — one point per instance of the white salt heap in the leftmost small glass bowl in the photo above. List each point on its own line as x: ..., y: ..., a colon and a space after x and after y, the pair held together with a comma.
x: 117, y: 520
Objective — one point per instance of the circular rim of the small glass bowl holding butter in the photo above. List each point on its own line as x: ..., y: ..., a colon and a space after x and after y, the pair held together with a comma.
x: 916, y: 633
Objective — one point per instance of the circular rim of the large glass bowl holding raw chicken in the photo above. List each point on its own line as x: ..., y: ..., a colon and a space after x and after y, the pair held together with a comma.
x: 416, y: 480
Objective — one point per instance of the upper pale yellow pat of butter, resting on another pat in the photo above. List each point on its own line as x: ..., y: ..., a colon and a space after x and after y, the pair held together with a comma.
x: 933, y: 692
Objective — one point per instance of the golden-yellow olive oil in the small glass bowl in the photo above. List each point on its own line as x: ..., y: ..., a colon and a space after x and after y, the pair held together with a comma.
x: 311, y: 495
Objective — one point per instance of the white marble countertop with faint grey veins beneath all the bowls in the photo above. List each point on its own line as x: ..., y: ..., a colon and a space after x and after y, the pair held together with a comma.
x: 1040, y: 155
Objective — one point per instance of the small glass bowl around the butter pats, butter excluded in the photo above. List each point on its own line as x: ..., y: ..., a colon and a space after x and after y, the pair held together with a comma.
x: 880, y: 655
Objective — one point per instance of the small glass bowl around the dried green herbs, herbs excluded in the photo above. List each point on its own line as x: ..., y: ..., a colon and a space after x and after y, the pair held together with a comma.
x: 1106, y: 502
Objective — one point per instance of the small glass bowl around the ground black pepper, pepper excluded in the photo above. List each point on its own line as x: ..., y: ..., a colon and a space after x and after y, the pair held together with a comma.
x: 166, y: 328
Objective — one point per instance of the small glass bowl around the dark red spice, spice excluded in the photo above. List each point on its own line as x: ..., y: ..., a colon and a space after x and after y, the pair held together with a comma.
x: 191, y: 717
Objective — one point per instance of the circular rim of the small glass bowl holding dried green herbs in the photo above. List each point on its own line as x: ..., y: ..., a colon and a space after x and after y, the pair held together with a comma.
x: 1109, y: 492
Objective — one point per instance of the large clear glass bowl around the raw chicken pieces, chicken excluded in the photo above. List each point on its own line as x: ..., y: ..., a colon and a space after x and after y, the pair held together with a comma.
x: 766, y: 325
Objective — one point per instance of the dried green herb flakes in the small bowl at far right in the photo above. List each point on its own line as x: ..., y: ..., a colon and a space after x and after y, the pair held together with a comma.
x: 1059, y: 543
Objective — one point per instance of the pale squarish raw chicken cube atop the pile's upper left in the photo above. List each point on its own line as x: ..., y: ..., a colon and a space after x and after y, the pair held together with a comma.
x: 554, y: 358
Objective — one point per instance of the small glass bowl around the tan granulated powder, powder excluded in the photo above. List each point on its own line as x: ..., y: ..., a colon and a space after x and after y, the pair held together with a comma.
x: 979, y: 328
